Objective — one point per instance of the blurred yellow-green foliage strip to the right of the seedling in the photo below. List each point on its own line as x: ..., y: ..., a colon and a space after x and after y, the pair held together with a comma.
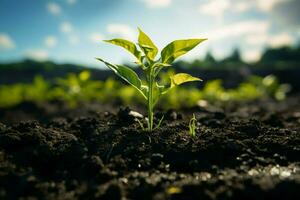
x: 213, y: 92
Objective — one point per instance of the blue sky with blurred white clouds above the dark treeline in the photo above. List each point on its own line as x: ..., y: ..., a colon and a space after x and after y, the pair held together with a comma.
x: 71, y: 31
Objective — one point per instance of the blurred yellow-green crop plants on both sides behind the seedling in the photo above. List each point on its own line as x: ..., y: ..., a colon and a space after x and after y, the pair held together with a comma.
x: 75, y: 88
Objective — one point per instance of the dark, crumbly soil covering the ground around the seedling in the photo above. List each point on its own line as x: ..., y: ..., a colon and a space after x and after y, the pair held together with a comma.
x: 240, y: 151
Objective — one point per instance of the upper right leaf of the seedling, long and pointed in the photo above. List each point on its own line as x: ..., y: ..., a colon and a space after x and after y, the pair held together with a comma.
x: 178, y: 48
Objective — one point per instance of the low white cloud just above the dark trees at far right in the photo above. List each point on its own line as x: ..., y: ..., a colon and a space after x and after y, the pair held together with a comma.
x: 274, y: 41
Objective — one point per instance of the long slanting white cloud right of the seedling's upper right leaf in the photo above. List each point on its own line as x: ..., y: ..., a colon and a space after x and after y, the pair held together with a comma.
x: 239, y: 29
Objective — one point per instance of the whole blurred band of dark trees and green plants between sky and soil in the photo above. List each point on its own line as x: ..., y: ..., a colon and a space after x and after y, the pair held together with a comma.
x: 230, y: 79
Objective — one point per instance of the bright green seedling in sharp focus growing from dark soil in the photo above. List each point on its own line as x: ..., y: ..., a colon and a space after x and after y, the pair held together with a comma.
x: 145, y: 53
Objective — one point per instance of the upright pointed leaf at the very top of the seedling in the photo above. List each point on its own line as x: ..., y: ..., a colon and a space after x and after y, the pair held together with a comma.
x: 147, y: 45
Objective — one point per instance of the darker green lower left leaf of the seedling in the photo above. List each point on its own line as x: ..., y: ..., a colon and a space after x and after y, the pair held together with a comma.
x: 128, y: 75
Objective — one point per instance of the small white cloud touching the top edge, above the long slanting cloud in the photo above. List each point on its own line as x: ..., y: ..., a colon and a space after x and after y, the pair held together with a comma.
x: 215, y: 8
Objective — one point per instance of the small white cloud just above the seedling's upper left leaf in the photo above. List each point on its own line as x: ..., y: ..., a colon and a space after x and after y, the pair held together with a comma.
x: 121, y: 30
